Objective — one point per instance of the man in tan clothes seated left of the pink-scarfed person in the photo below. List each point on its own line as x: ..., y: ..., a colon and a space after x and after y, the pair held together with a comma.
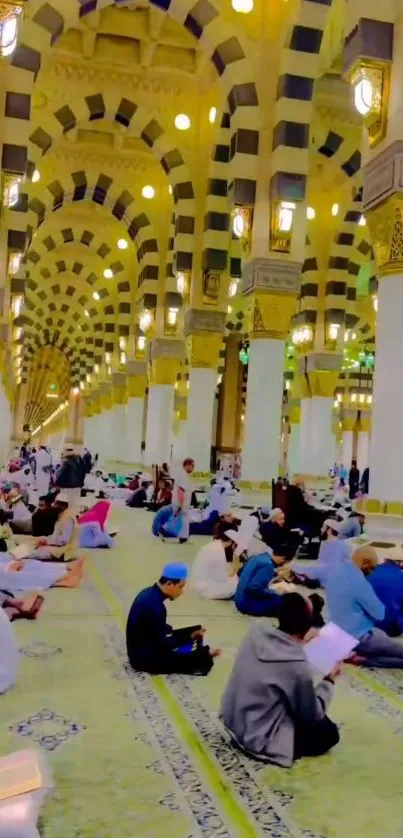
x: 62, y: 544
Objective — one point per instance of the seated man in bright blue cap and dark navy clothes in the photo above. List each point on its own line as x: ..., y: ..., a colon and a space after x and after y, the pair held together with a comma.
x: 152, y: 645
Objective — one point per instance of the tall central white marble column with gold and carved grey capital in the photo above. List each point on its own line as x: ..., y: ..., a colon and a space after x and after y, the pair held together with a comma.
x: 270, y: 287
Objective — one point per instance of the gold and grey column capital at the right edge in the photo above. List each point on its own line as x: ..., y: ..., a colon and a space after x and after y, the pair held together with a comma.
x: 383, y: 207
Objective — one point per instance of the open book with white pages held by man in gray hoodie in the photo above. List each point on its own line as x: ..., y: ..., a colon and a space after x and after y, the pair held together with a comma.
x: 330, y: 647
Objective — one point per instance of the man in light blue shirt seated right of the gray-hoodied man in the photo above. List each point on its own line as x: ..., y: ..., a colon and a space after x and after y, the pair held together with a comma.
x: 354, y: 606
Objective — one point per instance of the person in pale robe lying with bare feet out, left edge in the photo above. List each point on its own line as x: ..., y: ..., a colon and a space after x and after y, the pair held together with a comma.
x: 29, y: 574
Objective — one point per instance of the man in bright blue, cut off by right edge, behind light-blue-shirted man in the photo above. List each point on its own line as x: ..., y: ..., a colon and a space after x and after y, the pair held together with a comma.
x: 387, y: 581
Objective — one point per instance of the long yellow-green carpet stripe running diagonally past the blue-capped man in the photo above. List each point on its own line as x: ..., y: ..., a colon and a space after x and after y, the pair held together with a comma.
x: 241, y: 825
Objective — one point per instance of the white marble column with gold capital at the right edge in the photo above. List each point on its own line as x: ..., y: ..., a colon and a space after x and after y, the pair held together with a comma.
x: 383, y: 195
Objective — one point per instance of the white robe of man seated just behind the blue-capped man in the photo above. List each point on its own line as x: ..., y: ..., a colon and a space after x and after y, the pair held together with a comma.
x: 209, y: 574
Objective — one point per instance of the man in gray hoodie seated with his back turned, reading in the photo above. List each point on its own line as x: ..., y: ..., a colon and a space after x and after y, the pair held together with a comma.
x: 270, y: 706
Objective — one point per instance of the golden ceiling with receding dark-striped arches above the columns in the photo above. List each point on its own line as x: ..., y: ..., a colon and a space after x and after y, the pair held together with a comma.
x: 109, y: 80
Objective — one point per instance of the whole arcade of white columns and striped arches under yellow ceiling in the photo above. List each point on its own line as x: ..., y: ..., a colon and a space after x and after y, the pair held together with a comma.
x: 198, y: 206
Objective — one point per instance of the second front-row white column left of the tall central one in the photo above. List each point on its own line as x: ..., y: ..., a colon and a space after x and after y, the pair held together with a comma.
x: 165, y: 356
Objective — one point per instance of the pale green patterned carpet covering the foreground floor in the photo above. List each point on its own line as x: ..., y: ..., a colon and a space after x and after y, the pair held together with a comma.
x: 135, y: 756
